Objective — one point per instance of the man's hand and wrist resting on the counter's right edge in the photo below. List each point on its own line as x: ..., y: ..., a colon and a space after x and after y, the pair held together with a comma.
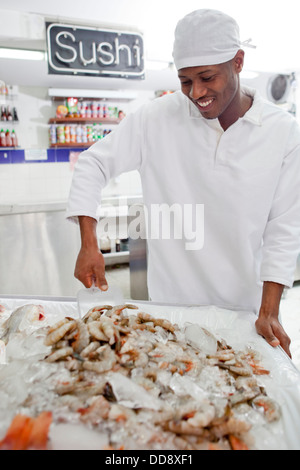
x: 267, y: 324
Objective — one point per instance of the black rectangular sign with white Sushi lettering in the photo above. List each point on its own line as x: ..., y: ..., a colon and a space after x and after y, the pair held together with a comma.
x: 77, y: 50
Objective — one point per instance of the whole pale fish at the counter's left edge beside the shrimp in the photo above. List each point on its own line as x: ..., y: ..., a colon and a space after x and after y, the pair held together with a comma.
x: 23, y: 316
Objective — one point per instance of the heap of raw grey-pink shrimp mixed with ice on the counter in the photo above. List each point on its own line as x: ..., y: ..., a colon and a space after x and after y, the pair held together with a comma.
x: 156, y: 357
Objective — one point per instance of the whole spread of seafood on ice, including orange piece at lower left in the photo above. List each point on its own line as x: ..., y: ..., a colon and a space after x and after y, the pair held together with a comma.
x: 140, y: 381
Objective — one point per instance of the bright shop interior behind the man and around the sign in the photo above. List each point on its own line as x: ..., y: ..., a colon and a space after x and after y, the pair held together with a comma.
x: 36, y: 171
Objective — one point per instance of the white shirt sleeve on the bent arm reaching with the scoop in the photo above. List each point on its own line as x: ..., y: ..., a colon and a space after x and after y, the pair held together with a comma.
x: 119, y: 152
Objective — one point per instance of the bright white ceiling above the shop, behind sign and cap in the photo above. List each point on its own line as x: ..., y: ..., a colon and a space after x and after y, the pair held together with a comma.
x: 273, y: 27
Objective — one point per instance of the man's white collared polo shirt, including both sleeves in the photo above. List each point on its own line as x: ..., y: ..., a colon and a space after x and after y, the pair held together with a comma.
x: 247, y: 180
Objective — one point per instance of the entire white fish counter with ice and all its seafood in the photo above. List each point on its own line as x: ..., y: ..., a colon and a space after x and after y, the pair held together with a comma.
x: 141, y: 376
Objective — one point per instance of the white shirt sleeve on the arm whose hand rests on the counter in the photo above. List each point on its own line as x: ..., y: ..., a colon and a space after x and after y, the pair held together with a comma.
x: 281, y: 241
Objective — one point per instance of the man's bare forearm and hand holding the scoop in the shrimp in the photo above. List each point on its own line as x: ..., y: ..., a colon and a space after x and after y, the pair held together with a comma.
x: 90, y: 265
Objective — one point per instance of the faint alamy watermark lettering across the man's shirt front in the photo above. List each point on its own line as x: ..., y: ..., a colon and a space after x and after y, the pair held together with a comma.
x: 157, y: 222
